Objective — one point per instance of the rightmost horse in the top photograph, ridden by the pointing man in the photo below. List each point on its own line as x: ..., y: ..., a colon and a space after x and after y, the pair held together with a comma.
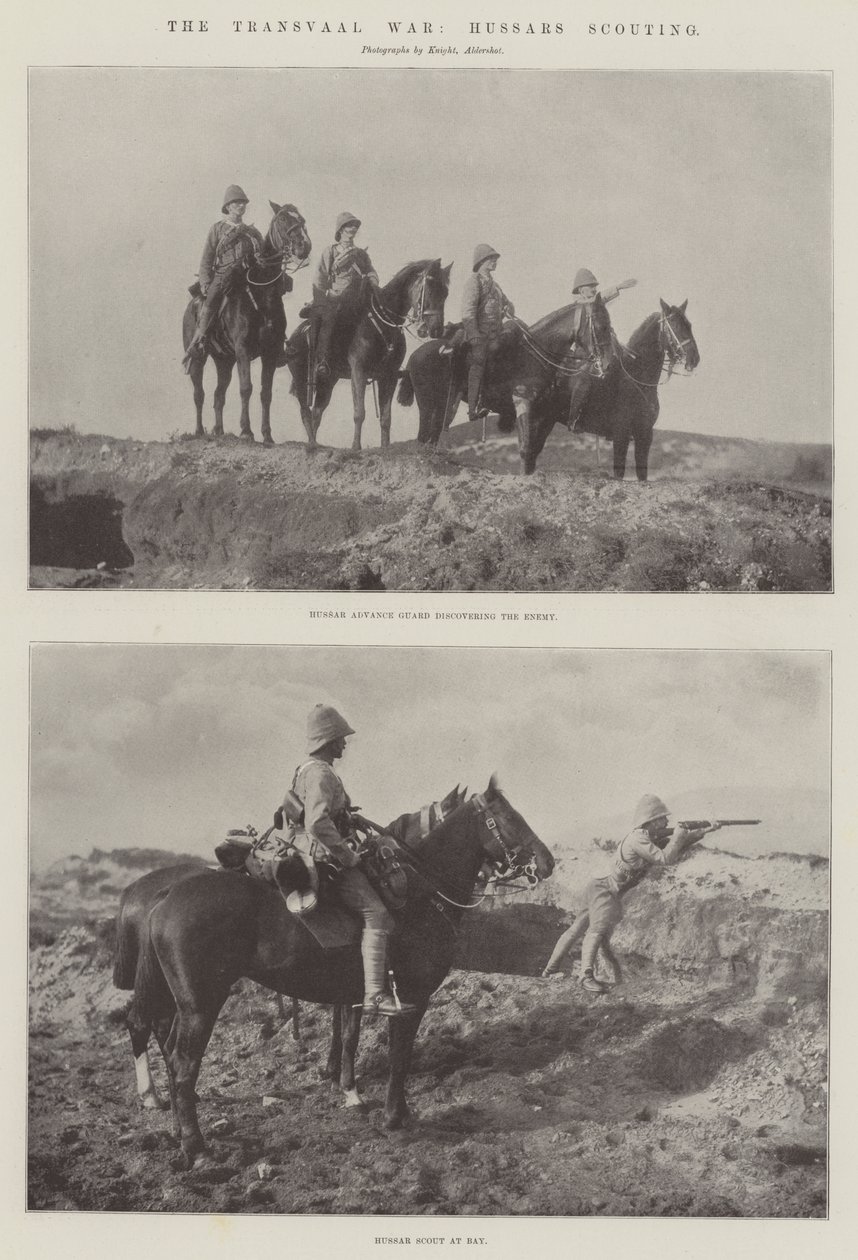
x: 624, y: 406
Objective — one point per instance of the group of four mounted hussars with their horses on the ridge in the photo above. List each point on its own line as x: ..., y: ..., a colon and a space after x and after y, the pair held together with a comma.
x: 568, y: 369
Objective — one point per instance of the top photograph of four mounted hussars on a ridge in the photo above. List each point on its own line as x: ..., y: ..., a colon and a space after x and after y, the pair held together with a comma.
x: 459, y: 331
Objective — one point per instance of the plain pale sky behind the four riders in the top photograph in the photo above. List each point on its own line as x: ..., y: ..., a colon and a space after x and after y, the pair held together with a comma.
x: 704, y: 186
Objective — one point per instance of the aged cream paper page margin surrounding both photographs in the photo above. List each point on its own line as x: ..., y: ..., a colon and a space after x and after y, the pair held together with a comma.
x: 792, y: 36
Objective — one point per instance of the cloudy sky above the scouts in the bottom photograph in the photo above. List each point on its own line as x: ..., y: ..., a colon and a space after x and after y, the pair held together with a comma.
x: 172, y: 747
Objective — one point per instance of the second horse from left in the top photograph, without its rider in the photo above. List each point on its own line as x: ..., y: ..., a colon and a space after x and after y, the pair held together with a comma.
x: 372, y: 348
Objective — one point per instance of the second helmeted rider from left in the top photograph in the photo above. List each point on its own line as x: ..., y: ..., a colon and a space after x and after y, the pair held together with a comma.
x: 338, y: 290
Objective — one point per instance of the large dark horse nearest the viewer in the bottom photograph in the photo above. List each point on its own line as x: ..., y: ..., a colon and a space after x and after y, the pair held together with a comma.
x: 216, y: 928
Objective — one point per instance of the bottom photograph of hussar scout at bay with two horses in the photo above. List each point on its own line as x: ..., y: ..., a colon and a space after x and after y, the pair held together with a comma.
x: 429, y: 932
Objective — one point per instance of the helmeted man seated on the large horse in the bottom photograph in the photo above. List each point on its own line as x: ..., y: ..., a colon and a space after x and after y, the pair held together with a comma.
x: 327, y: 833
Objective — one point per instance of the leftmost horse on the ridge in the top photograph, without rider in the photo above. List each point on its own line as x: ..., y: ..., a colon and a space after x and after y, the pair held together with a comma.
x: 251, y: 326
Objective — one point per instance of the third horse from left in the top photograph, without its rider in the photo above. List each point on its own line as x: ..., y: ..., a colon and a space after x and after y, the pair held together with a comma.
x: 521, y: 376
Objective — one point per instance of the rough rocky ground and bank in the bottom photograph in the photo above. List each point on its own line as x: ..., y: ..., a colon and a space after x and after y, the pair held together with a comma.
x: 697, y: 1089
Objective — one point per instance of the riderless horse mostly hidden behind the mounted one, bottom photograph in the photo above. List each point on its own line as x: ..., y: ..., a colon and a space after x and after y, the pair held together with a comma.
x: 139, y: 899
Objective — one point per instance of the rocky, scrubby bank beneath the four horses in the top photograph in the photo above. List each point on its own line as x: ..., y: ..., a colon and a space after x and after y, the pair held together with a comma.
x: 719, y: 515
